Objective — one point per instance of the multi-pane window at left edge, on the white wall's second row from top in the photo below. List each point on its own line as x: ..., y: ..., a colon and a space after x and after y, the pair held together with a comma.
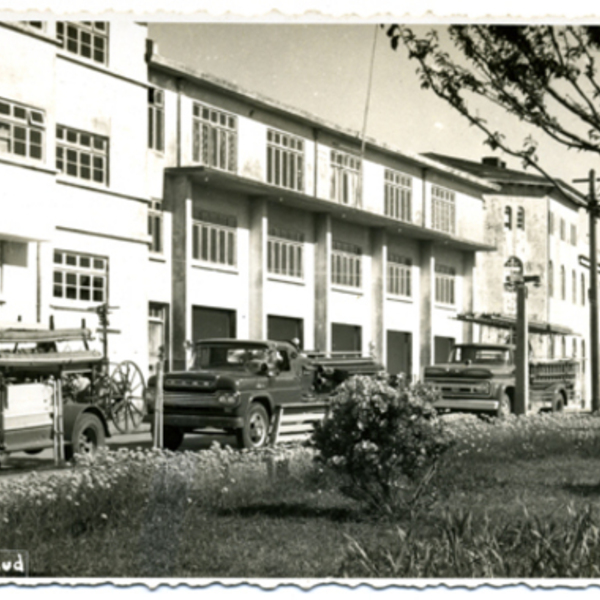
x: 21, y: 130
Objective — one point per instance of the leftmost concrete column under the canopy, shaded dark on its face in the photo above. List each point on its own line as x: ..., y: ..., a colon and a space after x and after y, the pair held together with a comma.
x: 178, y: 200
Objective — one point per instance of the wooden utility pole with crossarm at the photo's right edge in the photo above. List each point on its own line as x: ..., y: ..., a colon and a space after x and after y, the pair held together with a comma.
x: 592, y: 208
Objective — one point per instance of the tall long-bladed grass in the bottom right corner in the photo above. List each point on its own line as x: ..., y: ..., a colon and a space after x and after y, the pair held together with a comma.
x: 531, y: 547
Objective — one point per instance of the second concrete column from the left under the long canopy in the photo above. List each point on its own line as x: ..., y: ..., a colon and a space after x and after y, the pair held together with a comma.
x: 258, y: 267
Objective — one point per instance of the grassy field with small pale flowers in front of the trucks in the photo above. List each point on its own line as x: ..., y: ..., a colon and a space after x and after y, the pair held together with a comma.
x: 512, y: 499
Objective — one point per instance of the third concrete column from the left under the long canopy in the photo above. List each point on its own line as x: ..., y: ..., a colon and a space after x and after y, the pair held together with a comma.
x: 322, y: 281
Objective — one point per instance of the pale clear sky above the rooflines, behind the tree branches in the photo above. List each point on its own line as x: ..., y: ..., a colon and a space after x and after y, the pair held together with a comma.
x: 324, y: 69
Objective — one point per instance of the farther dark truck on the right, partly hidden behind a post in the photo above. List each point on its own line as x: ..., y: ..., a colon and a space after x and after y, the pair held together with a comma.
x: 481, y: 378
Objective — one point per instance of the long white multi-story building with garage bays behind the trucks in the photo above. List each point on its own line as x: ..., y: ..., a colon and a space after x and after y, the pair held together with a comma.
x: 200, y: 209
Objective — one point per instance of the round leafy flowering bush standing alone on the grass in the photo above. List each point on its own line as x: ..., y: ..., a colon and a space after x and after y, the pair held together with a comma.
x: 385, y: 442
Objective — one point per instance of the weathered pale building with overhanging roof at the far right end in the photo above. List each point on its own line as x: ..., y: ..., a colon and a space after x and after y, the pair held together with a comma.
x: 541, y: 227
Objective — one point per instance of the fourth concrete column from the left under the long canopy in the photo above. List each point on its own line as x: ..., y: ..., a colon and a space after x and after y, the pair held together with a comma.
x: 378, y: 279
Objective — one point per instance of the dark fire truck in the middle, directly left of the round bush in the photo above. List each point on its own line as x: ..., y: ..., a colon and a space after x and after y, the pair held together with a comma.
x: 237, y: 386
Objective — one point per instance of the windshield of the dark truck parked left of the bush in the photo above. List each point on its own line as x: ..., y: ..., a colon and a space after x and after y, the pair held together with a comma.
x: 236, y: 358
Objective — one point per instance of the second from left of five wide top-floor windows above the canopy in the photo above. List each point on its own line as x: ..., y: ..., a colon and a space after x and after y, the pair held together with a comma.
x: 285, y: 160
